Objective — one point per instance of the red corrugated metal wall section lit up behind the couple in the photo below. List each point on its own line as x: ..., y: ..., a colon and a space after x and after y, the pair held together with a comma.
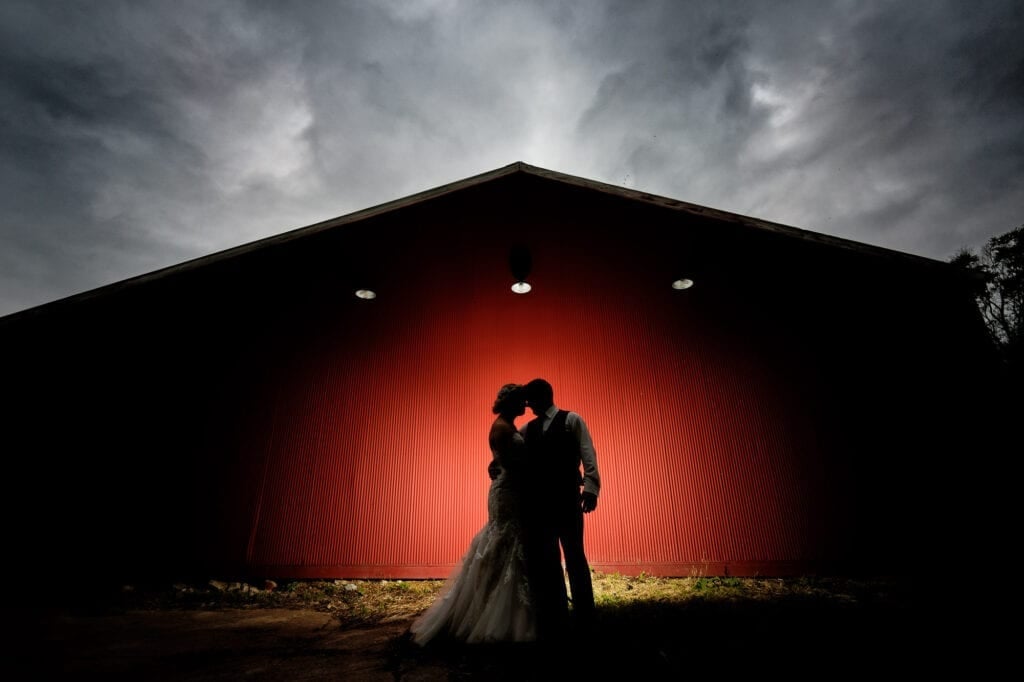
x: 374, y: 463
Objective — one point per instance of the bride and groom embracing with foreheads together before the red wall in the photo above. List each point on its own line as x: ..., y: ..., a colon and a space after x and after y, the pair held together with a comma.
x: 510, y: 585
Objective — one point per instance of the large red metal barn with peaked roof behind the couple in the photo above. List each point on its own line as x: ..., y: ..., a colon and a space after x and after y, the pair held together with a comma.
x: 764, y: 400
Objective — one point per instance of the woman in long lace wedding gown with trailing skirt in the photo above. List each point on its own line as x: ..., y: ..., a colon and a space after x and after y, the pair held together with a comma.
x: 487, y: 599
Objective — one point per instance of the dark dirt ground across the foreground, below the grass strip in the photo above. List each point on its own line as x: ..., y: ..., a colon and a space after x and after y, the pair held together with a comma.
x: 802, y: 638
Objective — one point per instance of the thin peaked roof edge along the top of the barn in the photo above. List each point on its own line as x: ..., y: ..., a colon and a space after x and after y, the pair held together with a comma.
x: 483, y: 179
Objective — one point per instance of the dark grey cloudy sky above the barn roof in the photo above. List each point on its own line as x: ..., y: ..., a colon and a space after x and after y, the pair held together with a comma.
x: 140, y: 135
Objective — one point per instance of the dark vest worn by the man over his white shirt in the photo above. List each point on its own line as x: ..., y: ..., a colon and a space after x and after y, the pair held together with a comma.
x: 554, y: 458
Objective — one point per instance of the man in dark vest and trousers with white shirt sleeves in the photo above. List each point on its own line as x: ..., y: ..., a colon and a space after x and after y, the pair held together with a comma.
x: 559, y: 444
